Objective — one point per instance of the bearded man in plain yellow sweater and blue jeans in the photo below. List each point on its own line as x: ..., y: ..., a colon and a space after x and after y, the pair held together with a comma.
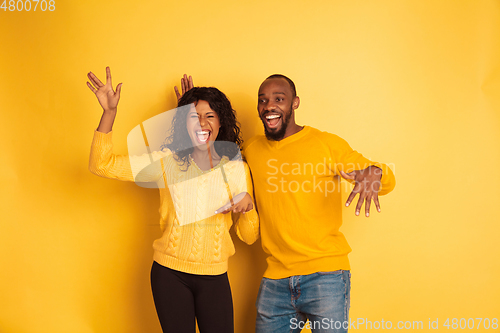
x: 295, y: 170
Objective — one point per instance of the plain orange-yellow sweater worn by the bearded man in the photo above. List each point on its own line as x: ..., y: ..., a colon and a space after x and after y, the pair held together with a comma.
x: 299, y: 199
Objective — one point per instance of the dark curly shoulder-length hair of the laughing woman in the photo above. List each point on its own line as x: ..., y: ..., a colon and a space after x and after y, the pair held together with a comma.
x: 179, y: 141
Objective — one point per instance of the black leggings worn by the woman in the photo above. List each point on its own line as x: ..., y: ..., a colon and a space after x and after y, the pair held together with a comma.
x: 180, y: 297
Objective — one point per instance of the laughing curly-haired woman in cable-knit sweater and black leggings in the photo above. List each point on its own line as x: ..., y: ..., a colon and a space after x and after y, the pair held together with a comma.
x: 194, y: 170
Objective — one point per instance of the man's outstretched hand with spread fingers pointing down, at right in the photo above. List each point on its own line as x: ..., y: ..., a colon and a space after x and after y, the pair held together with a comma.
x: 367, y: 186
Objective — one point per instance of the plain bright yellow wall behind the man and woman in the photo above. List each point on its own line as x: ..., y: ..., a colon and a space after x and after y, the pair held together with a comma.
x: 415, y: 84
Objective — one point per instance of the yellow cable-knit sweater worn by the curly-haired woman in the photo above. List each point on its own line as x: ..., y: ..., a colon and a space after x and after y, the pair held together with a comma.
x: 193, y: 241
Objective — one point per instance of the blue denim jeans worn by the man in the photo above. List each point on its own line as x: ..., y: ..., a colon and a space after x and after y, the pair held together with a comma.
x: 284, y: 305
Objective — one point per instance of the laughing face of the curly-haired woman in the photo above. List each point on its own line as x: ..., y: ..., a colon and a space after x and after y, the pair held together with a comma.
x: 202, y: 125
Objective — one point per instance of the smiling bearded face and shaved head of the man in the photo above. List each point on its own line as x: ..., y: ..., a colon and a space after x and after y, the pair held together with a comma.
x: 275, y: 107
